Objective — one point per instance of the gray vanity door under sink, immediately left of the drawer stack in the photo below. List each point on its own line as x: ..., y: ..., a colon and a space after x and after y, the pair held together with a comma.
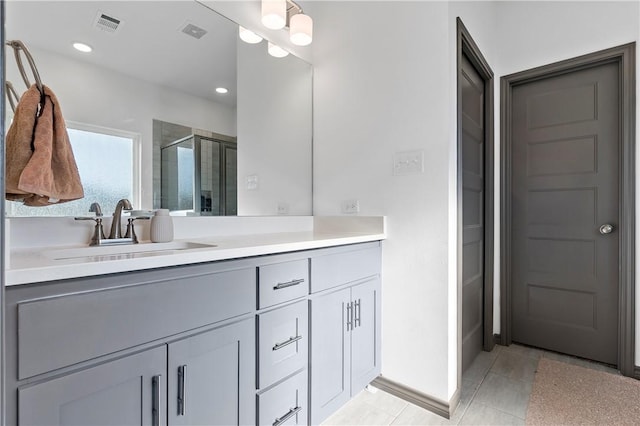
x: 212, y: 377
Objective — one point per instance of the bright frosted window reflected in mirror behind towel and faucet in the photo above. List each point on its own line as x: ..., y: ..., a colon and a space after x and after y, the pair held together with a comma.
x: 106, y: 165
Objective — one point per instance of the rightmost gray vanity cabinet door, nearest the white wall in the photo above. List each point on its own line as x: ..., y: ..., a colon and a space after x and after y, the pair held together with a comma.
x: 365, y: 336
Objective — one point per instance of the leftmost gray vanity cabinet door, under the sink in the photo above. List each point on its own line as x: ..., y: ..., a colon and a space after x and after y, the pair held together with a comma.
x: 127, y: 391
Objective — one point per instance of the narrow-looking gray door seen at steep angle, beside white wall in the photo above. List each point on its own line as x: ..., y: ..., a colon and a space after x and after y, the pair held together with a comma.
x: 472, y: 87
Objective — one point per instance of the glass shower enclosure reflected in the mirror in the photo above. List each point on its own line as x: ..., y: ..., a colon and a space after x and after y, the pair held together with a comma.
x: 198, y: 176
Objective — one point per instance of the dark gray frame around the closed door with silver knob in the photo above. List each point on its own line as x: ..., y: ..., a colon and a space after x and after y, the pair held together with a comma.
x: 625, y: 56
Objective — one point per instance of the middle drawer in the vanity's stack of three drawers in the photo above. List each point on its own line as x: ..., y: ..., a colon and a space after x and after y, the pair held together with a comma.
x: 282, y: 342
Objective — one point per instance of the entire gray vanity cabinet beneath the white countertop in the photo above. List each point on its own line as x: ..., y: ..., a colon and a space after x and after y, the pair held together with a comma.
x: 221, y: 343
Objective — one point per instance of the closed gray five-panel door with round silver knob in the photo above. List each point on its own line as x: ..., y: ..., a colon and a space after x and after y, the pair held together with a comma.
x: 565, y: 132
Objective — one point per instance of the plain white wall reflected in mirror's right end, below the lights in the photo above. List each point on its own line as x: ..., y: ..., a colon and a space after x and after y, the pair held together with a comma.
x: 275, y: 132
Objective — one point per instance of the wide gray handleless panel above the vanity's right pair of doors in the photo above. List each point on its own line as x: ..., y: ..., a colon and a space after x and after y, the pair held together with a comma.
x: 345, y: 266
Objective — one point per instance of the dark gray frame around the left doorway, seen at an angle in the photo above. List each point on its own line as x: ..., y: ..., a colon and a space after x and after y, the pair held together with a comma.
x: 467, y: 47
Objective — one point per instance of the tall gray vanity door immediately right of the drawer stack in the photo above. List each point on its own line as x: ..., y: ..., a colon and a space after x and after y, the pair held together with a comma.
x: 330, y: 353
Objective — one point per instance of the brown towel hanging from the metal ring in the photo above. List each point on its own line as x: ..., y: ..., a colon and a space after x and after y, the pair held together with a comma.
x: 50, y: 175
